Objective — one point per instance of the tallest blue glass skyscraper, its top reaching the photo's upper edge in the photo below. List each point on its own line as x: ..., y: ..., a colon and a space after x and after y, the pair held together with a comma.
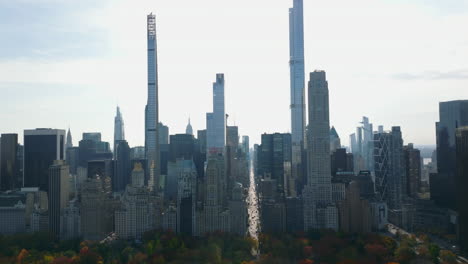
x: 297, y: 78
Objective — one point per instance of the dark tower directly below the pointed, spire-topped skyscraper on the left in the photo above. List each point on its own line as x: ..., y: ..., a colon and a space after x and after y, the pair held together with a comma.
x: 122, y: 166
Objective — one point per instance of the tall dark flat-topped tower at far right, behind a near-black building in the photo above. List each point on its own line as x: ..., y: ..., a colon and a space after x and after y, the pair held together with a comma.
x: 452, y: 114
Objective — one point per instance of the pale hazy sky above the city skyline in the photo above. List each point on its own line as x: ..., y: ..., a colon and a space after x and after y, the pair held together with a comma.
x: 71, y: 62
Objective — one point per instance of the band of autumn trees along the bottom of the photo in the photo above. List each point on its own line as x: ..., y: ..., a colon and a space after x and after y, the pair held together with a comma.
x: 158, y: 247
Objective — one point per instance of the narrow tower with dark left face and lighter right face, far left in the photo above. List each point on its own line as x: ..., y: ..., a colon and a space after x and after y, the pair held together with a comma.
x: 58, y: 194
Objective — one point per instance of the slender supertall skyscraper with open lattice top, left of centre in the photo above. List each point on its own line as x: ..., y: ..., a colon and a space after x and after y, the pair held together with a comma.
x: 152, y: 107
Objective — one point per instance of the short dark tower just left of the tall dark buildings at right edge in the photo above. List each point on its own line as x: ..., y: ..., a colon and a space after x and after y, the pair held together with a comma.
x: 413, y: 170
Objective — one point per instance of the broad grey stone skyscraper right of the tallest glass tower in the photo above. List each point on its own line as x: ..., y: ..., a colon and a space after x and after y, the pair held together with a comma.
x: 318, y: 211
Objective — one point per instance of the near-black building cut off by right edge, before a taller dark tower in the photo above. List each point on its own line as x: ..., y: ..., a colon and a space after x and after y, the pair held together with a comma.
x: 461, y: 181
